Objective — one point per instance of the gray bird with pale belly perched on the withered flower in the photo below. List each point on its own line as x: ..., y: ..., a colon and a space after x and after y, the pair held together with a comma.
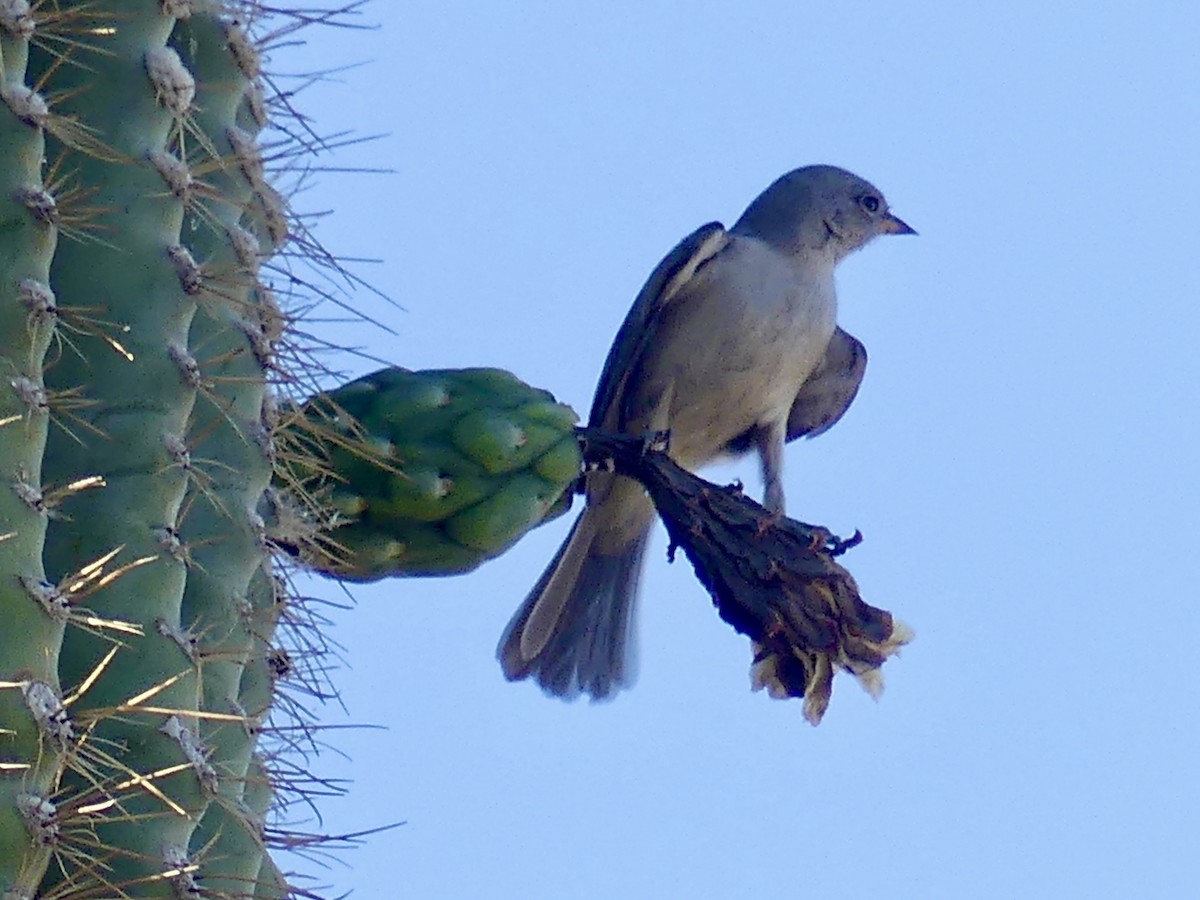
x: 733, y: 346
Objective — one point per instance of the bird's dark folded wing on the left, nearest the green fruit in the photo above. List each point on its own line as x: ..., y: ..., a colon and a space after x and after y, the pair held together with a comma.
x: 639, y: 328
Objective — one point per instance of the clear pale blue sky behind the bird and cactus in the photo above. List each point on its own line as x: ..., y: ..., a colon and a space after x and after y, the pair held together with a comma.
x: 1021, y: 459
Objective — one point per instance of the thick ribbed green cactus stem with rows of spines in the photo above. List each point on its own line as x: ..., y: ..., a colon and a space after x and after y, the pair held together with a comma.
x: 137, y: 434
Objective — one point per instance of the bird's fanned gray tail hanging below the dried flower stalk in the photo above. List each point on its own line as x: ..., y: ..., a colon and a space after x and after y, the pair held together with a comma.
x: 574, y: 632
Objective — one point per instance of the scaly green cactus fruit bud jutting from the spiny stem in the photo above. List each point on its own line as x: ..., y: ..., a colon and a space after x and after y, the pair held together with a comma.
x: 436, y: 472
